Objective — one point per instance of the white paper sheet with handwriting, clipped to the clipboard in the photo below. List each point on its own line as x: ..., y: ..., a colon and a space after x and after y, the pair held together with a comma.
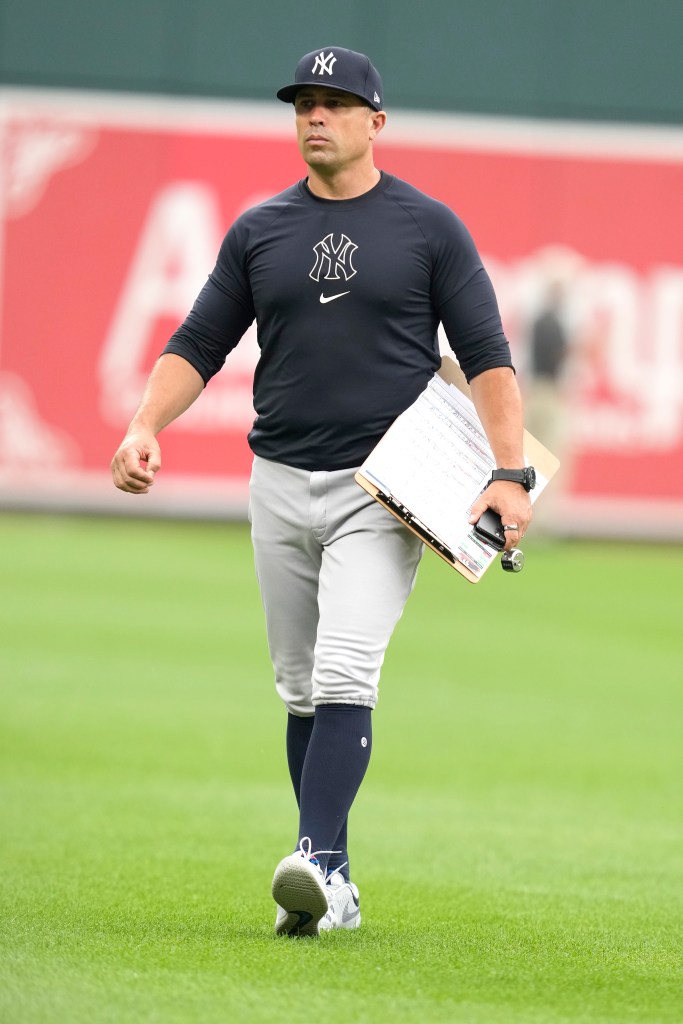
x: 436, y: 460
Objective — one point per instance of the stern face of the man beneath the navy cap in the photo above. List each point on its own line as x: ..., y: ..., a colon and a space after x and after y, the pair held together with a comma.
x: 334, y: 129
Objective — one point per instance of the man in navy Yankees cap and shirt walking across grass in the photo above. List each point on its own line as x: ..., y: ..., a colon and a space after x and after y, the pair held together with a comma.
x: 349, y: 274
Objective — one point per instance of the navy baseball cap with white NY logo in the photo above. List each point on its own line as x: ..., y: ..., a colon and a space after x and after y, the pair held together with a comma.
x: 338, y: 69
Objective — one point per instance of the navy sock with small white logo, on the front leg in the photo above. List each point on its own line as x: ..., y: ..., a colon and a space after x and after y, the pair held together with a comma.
x: 335, y: 764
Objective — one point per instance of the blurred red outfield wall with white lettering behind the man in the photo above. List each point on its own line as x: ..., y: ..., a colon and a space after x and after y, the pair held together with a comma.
x: 112, y: 212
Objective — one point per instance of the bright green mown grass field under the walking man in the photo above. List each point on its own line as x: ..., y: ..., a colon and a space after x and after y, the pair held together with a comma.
x: 518, y: 840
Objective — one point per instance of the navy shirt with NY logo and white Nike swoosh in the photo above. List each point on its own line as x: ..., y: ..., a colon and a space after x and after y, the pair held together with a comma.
x: 348, y: 297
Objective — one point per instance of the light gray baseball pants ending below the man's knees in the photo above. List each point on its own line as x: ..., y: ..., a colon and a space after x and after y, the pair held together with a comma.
x: 335, y: 571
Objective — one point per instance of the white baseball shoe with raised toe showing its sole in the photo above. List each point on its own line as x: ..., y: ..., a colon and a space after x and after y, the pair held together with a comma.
x: 301, y: 892
